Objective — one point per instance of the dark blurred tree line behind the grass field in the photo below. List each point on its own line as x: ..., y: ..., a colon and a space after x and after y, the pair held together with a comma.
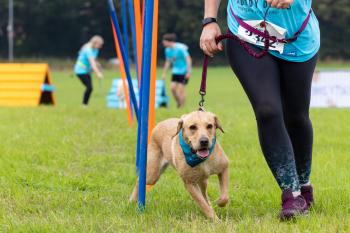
x: 58, y: 28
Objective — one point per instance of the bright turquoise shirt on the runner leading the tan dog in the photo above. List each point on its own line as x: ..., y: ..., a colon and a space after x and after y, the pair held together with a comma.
x: 291, y: 19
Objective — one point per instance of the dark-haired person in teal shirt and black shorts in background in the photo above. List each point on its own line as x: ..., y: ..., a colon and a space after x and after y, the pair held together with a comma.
x: 177, y: 56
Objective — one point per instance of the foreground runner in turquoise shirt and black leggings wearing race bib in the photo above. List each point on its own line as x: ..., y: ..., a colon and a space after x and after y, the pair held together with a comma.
x: 278, y: 85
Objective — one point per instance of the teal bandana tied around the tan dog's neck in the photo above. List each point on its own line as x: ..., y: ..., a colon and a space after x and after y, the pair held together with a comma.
x: 193, y: 159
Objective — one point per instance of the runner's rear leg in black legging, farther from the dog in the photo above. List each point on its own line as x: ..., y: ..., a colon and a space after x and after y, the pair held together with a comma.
x: 296, y: 81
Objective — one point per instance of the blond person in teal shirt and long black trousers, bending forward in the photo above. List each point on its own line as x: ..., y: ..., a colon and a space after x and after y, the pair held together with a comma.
x: 86, y: 63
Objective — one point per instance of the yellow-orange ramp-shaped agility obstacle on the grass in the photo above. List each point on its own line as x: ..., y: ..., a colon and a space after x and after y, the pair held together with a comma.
x: 25, y: 85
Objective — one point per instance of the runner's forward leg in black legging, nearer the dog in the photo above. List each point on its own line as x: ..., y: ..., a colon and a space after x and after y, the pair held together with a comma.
x: 260, y: 79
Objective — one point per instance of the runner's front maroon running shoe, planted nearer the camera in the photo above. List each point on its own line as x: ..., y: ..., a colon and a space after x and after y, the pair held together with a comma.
x: 292, y: 206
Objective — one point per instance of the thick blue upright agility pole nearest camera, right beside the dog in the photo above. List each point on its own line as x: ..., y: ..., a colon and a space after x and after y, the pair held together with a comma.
x: 144, y: 101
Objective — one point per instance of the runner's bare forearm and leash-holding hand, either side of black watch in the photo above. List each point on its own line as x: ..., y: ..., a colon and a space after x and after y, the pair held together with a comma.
x: 210, y: 31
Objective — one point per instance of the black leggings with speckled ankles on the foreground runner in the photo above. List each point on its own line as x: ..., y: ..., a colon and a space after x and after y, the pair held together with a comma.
x: 279, y: 92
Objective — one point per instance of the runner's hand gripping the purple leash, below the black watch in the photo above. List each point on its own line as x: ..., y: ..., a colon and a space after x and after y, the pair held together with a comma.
x: 207, y: 40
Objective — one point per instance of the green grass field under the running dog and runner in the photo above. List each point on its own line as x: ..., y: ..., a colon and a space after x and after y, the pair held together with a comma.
x: 71, y: 169
